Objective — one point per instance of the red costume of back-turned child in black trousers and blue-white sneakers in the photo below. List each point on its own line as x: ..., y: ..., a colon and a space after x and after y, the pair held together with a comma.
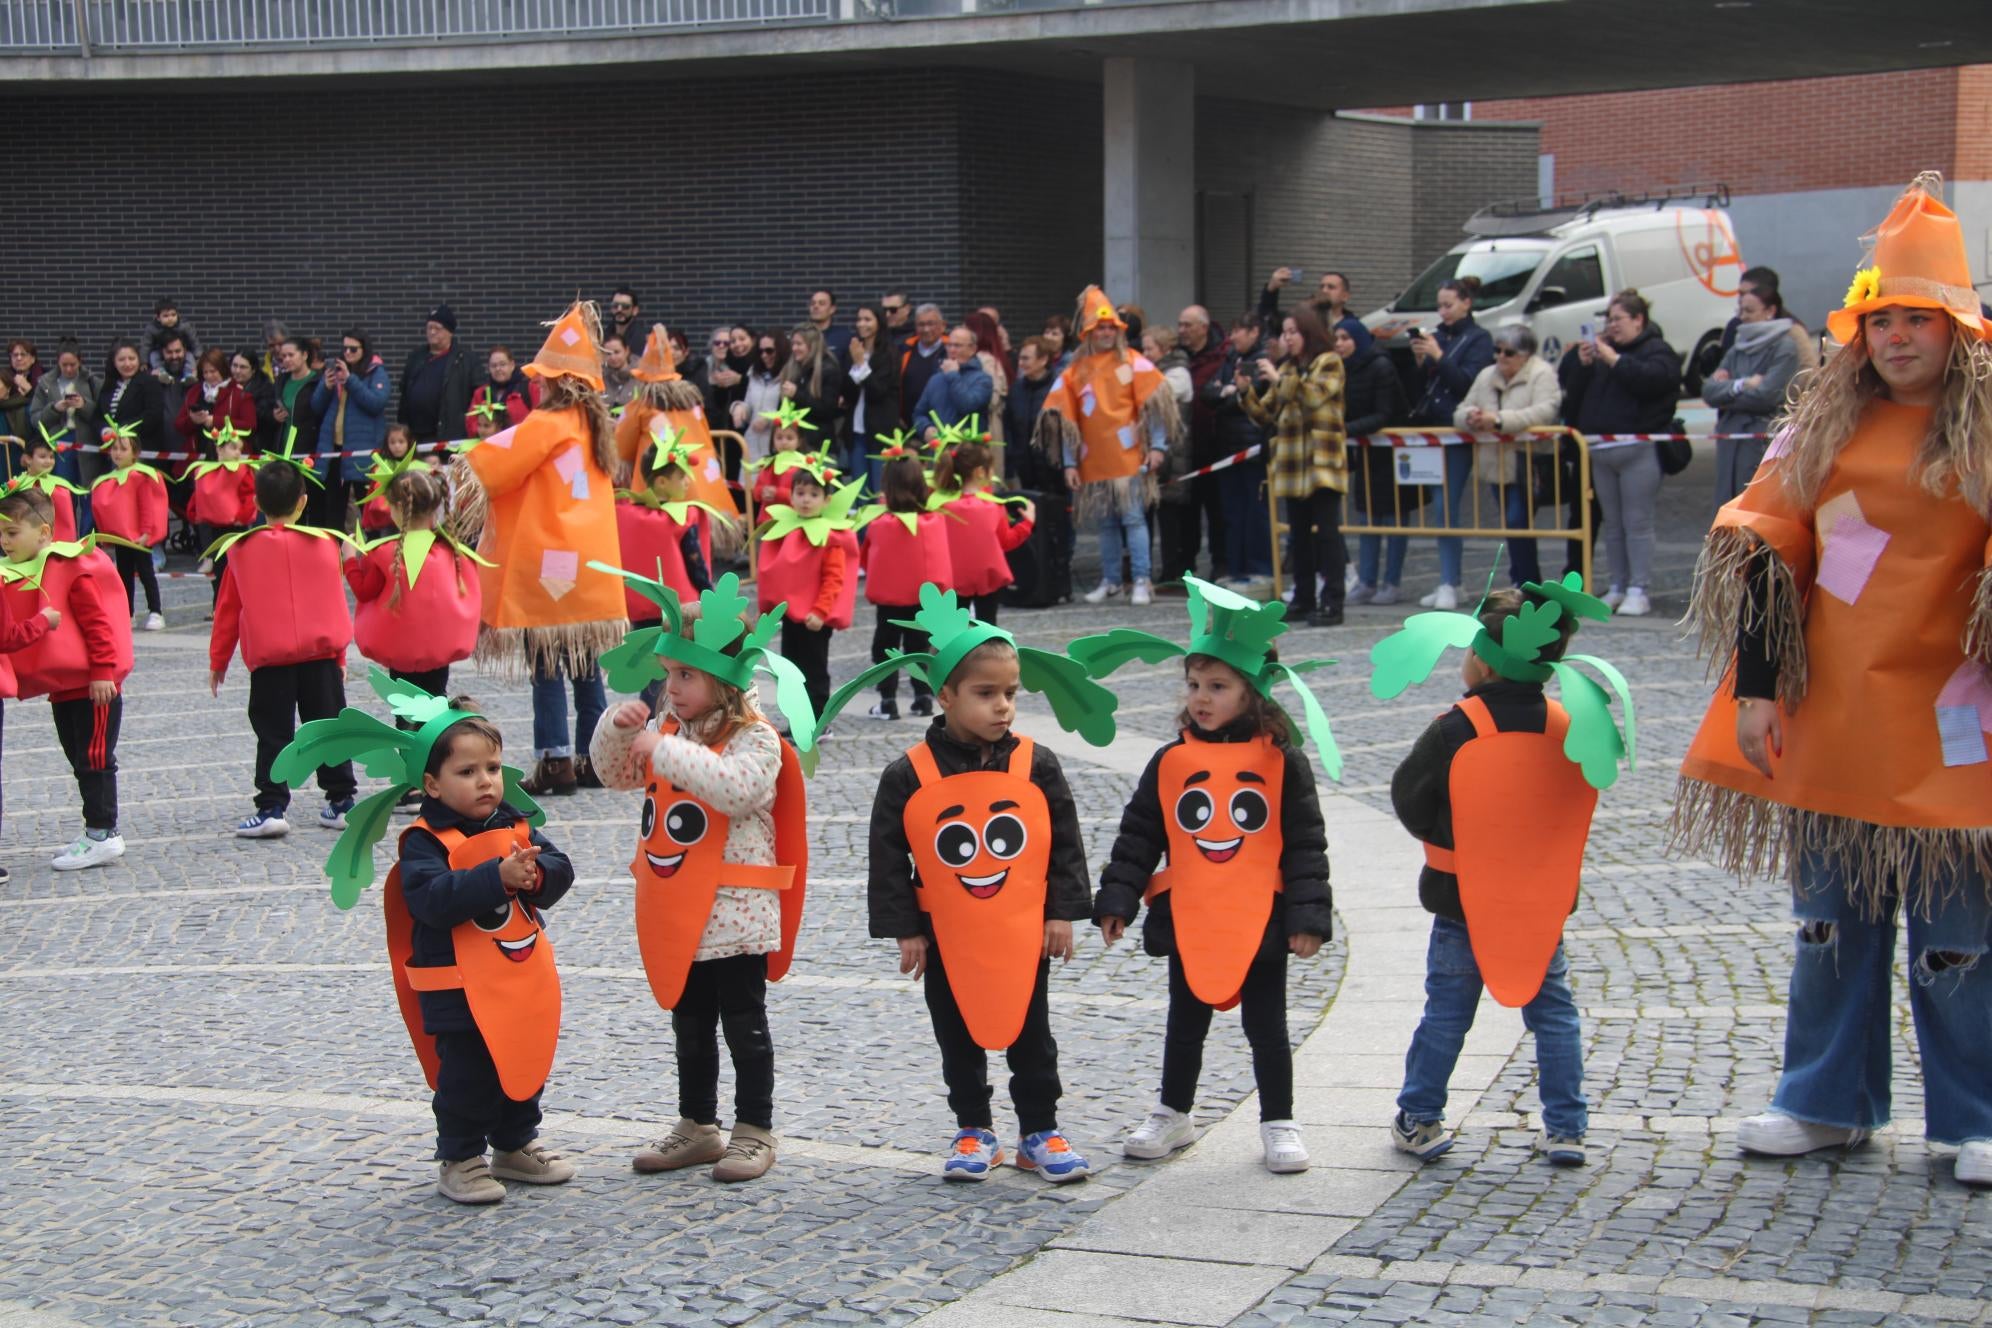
x: 282, y: 598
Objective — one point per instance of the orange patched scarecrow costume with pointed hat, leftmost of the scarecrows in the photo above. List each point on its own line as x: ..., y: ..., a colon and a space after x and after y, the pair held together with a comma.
x: 547, y: 505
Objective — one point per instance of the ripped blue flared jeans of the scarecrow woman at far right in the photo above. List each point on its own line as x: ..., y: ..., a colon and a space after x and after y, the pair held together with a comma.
x: 1840, y: 1022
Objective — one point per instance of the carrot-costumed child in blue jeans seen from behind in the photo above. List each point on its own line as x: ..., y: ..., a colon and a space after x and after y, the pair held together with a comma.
x: 1503, y: 789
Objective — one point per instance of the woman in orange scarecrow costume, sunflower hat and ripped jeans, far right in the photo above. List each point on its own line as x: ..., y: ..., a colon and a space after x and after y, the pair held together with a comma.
x: 1846, y: 594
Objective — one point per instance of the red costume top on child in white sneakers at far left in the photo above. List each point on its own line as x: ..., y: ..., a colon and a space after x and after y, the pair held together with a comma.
x: 91, y: 646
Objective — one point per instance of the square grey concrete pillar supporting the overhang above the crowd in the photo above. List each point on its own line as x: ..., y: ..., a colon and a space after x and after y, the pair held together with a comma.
x: 1150, y: 184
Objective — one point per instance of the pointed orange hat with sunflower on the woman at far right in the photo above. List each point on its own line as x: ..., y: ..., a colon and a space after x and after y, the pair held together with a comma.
x: 1917, y: 262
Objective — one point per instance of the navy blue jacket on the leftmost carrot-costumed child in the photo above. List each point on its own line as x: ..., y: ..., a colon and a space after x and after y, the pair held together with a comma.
x: 441, y: 899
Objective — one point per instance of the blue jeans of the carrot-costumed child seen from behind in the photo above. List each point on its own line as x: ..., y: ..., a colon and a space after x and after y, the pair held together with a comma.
x: 1453, y: 995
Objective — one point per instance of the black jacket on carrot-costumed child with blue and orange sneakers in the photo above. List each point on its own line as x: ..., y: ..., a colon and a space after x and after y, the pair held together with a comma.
x: 895, y: 901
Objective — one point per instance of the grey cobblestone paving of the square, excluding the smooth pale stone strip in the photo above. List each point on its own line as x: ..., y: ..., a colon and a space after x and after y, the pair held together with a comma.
x: 212, y: 1114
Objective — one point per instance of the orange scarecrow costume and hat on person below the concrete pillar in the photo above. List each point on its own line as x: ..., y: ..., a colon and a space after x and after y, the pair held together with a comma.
x: 1105, y: 417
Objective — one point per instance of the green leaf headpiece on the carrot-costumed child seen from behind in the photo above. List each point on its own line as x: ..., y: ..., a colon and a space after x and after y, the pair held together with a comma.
x: 1595, y: 742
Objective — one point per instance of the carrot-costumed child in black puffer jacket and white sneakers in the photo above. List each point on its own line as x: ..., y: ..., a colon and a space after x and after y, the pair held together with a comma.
x: 1232, y: 805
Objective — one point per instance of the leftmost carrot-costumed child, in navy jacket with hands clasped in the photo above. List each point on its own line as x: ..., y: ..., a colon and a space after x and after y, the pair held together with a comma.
x: 465, y: 933
